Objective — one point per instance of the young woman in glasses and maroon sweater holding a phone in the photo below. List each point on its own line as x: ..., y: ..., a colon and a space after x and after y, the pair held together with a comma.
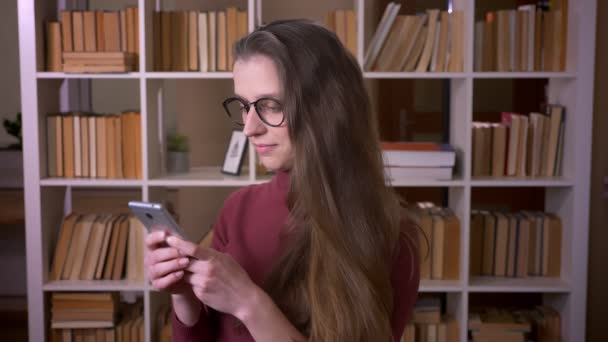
x: 322, y: 252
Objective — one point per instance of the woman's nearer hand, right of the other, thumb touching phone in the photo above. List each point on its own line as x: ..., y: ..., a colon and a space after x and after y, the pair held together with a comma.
x: 217, y: 279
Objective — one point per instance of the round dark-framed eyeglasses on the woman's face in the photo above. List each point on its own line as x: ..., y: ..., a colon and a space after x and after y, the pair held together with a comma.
x: 268, y: 109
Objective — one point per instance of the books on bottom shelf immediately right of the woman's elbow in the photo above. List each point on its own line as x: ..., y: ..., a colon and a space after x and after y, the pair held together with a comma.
x: 428, y: 324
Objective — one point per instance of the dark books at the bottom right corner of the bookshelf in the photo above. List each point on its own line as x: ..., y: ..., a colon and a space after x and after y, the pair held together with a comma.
x: 541, y: 324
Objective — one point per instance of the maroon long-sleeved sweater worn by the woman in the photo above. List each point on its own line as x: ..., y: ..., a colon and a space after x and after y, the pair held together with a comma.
x: 248, y: 229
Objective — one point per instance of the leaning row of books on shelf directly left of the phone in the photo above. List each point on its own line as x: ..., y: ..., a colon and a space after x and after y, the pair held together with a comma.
x: 99, y: 247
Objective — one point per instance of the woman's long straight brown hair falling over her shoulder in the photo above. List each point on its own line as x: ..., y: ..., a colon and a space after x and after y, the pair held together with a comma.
x: 333, y: 280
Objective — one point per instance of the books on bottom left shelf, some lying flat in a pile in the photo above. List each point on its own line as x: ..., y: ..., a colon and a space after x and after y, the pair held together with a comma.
x: 99, y: 317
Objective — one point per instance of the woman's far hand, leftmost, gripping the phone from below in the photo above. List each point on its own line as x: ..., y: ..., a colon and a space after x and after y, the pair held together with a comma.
x: 165, y: 265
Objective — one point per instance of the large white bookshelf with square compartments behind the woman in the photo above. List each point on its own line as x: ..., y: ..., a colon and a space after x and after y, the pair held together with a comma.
x: 48, y: 199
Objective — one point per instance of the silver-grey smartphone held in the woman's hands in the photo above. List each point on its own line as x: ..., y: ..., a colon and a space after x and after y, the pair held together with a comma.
x: 155, y: 217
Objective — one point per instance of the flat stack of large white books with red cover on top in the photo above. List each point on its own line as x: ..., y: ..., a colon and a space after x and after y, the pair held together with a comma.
x: 428, y: 161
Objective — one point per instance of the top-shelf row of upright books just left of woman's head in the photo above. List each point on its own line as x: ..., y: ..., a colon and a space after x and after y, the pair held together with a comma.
x: 197, y: 41
